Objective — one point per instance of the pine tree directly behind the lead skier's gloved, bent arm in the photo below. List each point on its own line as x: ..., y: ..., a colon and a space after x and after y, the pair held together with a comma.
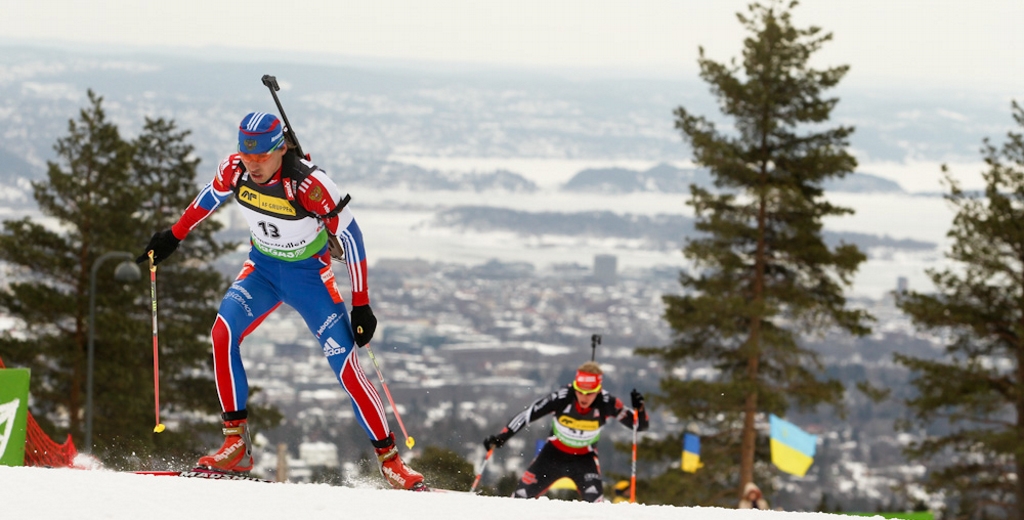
x: 189, y: 290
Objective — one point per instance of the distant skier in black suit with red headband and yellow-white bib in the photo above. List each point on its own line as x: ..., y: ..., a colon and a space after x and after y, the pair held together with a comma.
x: 581, y: 410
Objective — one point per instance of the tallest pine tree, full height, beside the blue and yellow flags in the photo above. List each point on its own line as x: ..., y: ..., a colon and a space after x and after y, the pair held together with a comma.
x: 765, y: 275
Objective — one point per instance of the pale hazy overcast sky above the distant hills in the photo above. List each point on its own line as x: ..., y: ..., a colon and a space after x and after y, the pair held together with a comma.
x: 926, y: 44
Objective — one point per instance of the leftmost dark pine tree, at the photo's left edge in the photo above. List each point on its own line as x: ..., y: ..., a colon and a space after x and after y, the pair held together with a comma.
x: 51, y: 298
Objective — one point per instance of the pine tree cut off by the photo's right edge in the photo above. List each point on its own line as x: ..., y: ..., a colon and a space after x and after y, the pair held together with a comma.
x: 974, y: 396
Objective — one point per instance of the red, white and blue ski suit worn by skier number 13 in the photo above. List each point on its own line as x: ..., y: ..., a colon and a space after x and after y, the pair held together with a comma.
x: 289, y: 219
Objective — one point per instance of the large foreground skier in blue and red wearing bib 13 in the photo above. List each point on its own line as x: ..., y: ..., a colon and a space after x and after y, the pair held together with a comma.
x: 293, y: 210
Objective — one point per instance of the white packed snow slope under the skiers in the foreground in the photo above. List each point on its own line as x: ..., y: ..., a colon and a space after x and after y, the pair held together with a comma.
x: 42, y: 494
